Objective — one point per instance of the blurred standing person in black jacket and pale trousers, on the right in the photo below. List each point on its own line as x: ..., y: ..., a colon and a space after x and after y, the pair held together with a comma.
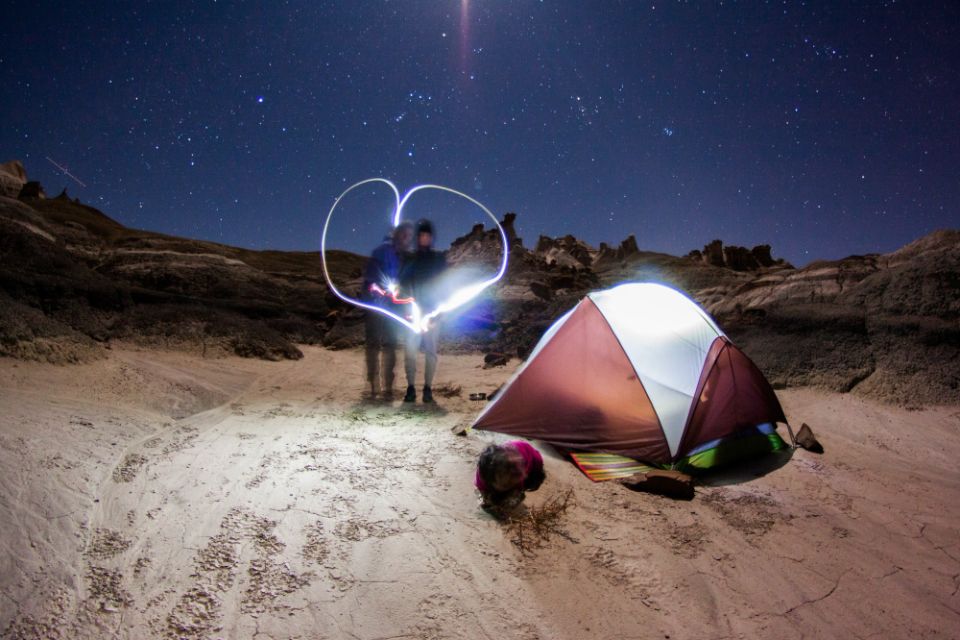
x: 420, y: 278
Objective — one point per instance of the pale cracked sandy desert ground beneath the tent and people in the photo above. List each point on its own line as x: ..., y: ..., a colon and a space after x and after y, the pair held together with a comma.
x: 158, y: 494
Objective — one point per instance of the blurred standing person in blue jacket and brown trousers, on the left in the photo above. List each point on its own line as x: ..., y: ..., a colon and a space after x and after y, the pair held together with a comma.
x: 382, y: 332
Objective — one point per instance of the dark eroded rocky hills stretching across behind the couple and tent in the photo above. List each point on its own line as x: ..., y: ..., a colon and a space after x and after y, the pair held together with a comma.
x: 72, y: 280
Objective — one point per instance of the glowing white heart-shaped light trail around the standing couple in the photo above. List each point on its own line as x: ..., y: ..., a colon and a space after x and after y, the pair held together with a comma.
x: 419, y: 321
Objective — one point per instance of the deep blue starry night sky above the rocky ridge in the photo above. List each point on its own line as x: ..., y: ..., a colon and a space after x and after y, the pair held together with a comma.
x: 822, y: 128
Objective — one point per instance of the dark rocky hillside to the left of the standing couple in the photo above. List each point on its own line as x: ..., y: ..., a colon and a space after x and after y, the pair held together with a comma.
x: 72, y: 280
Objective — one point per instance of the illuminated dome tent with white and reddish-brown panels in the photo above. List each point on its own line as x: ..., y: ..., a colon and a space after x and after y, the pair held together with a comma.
x: 641, y: 371
